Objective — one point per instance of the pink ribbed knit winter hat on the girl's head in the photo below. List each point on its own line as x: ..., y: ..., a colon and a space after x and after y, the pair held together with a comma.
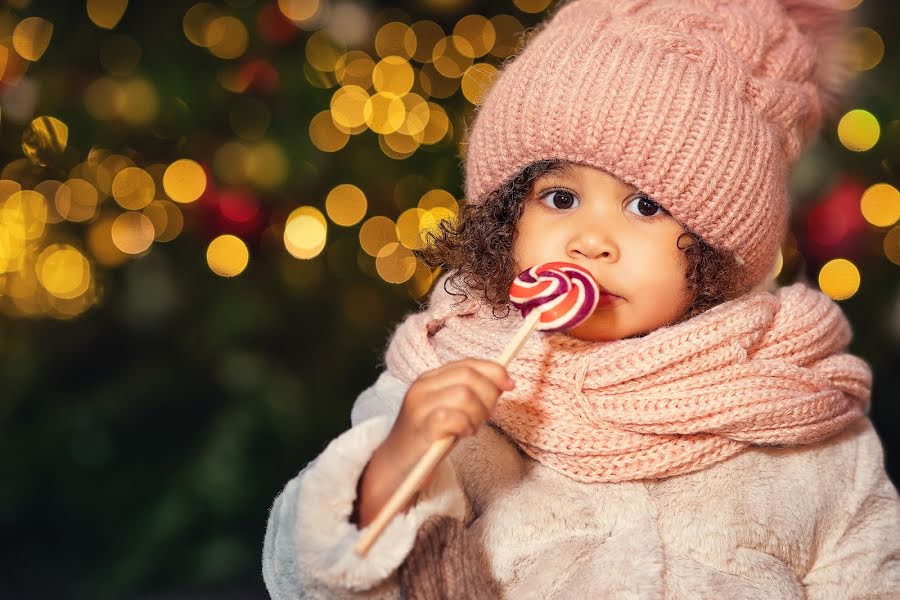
x: 702, y: 104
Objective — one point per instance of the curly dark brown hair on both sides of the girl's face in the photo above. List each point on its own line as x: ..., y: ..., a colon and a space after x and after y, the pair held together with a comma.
x: 477, y: 249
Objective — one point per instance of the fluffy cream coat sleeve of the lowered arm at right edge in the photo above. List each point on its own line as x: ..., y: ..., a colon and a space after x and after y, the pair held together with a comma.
x: 858, y: 554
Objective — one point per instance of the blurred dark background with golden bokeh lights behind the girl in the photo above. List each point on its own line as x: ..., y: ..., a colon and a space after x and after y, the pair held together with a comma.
x: 207, y: 218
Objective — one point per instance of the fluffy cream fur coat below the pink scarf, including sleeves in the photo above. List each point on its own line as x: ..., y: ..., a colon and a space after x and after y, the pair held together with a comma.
x: 821, y: 522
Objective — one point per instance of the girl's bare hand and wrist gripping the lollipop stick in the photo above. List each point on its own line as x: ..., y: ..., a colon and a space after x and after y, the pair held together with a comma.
x: 455, y: 399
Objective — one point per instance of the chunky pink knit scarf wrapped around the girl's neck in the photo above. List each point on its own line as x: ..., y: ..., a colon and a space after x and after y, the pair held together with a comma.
x: 764, y: 369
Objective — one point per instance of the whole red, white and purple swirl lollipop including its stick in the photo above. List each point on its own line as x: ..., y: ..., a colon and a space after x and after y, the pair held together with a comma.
x: 552, y: 297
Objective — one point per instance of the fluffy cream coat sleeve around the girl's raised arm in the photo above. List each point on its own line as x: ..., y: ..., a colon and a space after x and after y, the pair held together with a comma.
x: 308, y: 545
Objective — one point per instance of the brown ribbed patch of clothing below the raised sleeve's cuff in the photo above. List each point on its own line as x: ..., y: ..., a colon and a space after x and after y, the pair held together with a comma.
x: 446, y: 563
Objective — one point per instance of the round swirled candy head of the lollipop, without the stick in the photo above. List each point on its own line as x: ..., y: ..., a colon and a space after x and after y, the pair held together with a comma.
x: 564, y: 293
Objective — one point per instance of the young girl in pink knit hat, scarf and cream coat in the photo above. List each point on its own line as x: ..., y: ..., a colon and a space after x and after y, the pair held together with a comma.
x: 698, y: 436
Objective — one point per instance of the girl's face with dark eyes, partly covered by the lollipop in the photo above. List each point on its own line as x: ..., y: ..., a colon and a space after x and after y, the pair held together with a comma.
x: 584, y: 215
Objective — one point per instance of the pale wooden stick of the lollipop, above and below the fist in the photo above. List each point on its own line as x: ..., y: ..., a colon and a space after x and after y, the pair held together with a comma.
x: 435, y: 453
